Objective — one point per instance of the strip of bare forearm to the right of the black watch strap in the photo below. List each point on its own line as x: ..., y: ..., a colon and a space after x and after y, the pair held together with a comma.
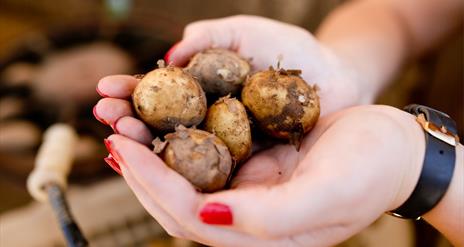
x: 448, y: 215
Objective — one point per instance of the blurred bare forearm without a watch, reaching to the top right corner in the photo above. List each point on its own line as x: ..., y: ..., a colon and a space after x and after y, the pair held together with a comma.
x: 377, y: 37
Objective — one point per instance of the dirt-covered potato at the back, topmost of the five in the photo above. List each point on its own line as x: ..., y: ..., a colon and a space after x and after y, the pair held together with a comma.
x: 219, y: 71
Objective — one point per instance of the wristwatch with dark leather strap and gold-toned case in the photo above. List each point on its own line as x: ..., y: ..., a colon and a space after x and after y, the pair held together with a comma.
x: 440, y: 155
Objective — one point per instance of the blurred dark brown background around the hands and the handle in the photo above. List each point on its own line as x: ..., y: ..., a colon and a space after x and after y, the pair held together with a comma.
x: 52, y: 53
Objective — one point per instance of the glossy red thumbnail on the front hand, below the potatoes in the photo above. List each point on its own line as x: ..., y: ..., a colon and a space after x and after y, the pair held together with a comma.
x: 216, y: 214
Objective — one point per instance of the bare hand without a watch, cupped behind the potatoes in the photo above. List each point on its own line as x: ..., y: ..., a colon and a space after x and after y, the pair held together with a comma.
x: 264, y: 41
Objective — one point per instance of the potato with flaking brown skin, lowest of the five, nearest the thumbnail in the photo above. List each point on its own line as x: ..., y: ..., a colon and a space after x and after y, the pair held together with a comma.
x: 199, y: 156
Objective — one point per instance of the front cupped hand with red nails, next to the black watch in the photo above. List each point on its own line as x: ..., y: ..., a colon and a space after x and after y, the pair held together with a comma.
x: 354, y: 166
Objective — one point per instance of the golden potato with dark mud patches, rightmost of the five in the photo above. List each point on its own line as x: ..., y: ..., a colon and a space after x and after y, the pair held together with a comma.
x: 283, y: 104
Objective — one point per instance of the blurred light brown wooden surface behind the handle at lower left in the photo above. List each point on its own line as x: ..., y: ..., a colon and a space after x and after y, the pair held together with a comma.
x: 103, y: 211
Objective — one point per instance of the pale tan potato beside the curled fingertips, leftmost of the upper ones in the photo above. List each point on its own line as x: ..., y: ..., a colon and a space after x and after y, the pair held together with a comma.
x: 167, y: 97
